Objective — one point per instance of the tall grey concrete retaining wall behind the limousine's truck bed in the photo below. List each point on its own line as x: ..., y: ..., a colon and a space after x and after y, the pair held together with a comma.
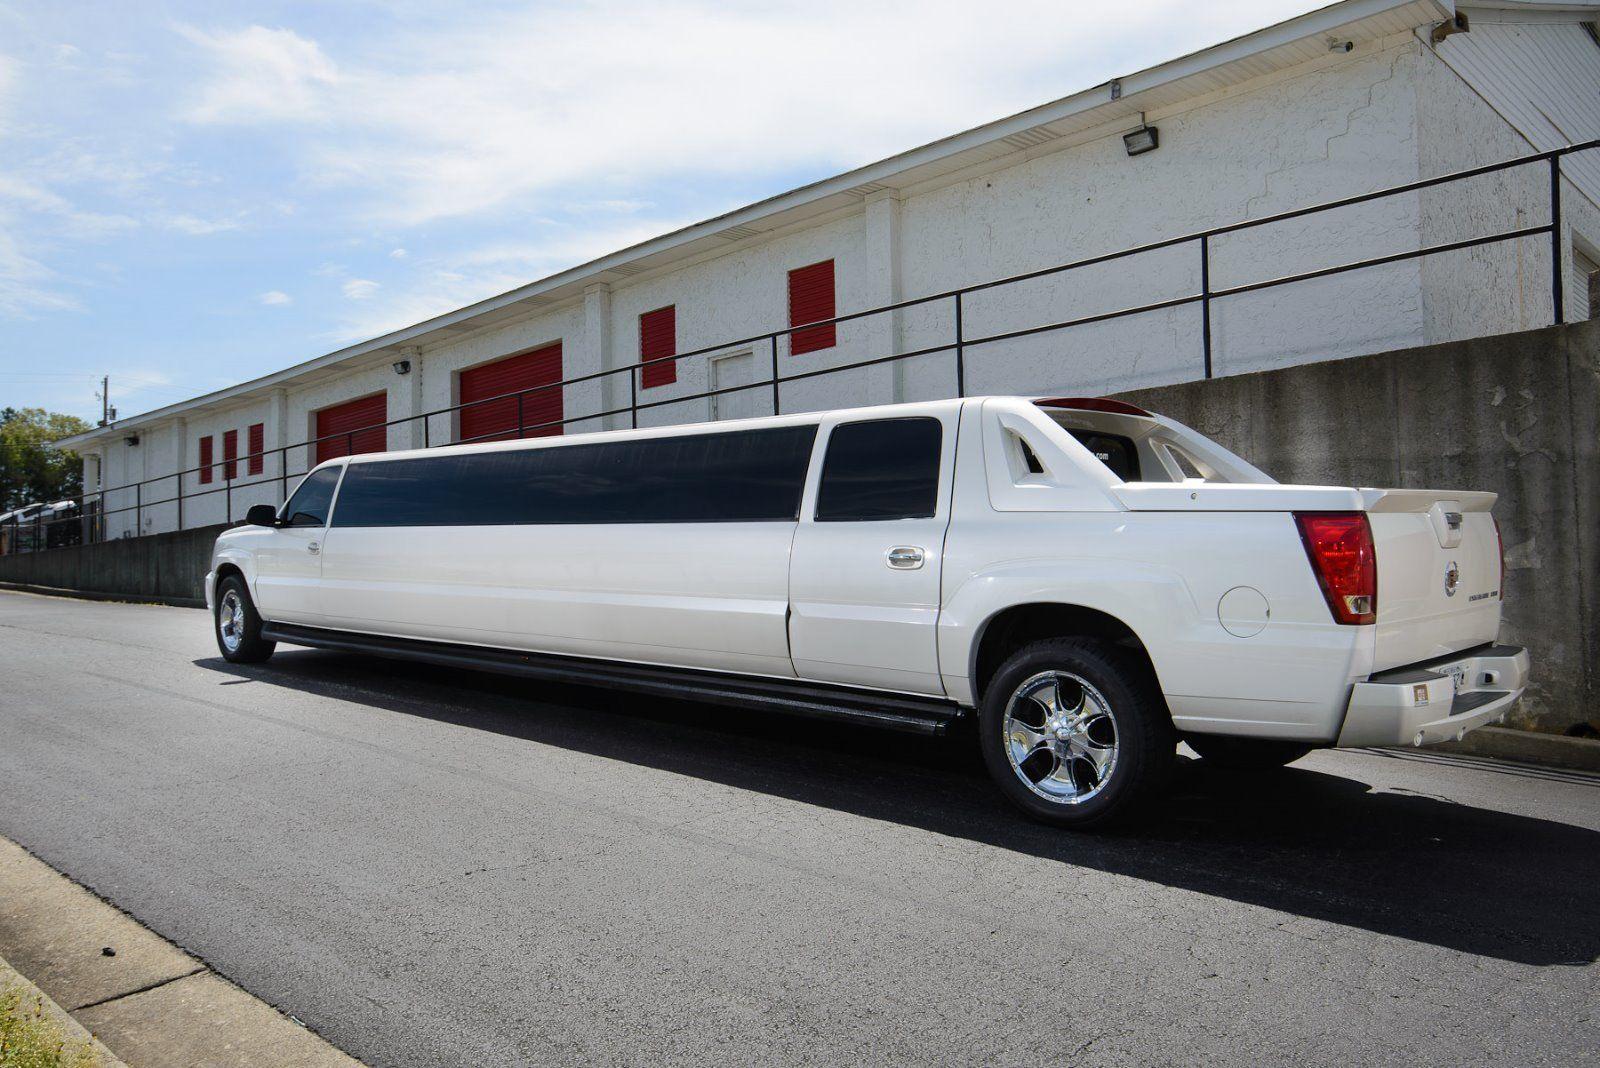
x: 1518, y: 415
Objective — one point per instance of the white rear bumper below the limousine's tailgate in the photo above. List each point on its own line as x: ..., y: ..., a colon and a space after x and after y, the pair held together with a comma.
x: 1438, y: 701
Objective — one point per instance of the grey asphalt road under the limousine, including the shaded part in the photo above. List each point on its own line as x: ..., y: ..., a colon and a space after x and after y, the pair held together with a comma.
x: 441, y: 869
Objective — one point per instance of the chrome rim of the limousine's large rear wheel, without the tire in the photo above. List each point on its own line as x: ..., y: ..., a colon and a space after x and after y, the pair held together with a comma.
x: 1062, y: 738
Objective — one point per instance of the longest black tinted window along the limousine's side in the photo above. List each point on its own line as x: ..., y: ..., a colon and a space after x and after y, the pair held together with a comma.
x: 746, y: 476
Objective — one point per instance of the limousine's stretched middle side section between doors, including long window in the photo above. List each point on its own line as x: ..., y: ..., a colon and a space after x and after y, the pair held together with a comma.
x: 663, y: 548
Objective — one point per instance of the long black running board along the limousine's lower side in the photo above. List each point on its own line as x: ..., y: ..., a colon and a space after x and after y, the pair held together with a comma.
x: 820, y: 701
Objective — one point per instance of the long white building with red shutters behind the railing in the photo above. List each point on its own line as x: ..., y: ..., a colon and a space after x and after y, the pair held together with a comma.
x: 1356, y: 97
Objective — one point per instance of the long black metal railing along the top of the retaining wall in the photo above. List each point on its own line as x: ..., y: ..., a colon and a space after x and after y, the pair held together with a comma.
x: 959, y: 345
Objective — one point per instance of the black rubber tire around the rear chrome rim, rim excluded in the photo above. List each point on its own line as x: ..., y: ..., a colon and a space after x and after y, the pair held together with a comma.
x: 1145, y: 730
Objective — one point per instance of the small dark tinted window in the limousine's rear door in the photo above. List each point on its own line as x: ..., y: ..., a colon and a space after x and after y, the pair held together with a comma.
x: 887, y: 469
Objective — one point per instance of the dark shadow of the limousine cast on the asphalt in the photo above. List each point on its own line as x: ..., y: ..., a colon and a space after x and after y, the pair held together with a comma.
x: 1295, y: 840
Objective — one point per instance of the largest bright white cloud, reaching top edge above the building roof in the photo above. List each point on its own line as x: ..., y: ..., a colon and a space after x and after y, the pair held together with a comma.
x: 486, y: 113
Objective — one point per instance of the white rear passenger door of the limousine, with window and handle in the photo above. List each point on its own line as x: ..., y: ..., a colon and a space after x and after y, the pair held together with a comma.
x: 865, y: 578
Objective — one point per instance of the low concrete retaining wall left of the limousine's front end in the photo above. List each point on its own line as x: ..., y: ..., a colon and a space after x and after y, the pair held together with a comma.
x: 166, y: 567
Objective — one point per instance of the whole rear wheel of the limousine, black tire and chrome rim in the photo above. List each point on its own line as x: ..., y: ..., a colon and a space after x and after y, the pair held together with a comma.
x: 1076, y: 733
